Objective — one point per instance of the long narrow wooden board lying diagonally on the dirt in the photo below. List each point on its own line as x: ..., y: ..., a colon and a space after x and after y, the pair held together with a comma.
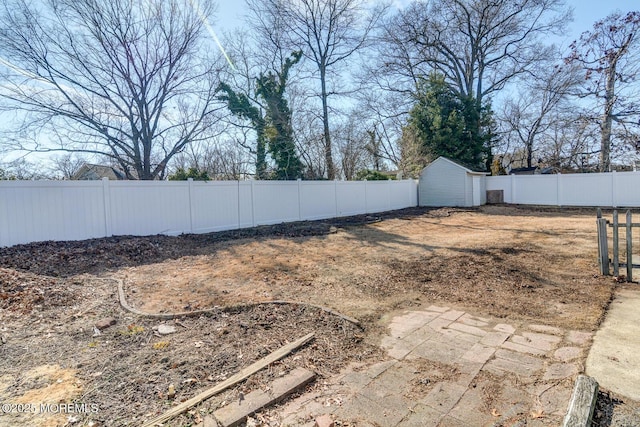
x: 240, y: 376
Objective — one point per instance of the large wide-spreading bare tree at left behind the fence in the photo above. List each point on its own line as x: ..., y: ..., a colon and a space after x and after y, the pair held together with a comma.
x: 124, y: 79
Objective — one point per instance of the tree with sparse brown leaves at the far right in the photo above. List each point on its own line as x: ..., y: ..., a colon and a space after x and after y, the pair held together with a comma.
x: 610, y: 57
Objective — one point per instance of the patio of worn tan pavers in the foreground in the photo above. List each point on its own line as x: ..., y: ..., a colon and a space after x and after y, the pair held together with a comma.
x: 502, y: 374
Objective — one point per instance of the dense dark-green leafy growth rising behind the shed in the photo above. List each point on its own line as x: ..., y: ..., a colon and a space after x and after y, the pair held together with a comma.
x: 450, y: 125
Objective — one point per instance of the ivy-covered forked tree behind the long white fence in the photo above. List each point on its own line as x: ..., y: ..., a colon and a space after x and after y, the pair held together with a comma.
x: 271, y: 120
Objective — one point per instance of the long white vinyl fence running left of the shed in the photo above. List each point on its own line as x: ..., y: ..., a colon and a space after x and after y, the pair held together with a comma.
x: 32, y: 211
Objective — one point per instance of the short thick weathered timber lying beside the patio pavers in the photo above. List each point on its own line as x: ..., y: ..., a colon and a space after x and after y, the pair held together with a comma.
x: 237, y: 412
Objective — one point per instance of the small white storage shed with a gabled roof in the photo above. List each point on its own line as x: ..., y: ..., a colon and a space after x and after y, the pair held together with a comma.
x: 446, y: 183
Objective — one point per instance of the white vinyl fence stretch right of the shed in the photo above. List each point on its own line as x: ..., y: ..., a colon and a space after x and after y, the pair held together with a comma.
x: 612, y: 189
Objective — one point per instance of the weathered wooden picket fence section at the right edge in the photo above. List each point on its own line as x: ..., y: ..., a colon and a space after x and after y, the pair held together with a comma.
x: 607, y: 263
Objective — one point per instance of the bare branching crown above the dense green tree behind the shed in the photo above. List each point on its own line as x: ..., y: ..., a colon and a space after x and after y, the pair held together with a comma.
x: 478, y: 45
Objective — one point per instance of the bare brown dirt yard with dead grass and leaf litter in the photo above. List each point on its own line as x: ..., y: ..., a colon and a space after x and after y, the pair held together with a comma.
x: 532, y: 264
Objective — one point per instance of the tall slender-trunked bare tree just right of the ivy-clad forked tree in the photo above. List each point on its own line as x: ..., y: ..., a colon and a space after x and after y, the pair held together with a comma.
x: 327, y: 31
